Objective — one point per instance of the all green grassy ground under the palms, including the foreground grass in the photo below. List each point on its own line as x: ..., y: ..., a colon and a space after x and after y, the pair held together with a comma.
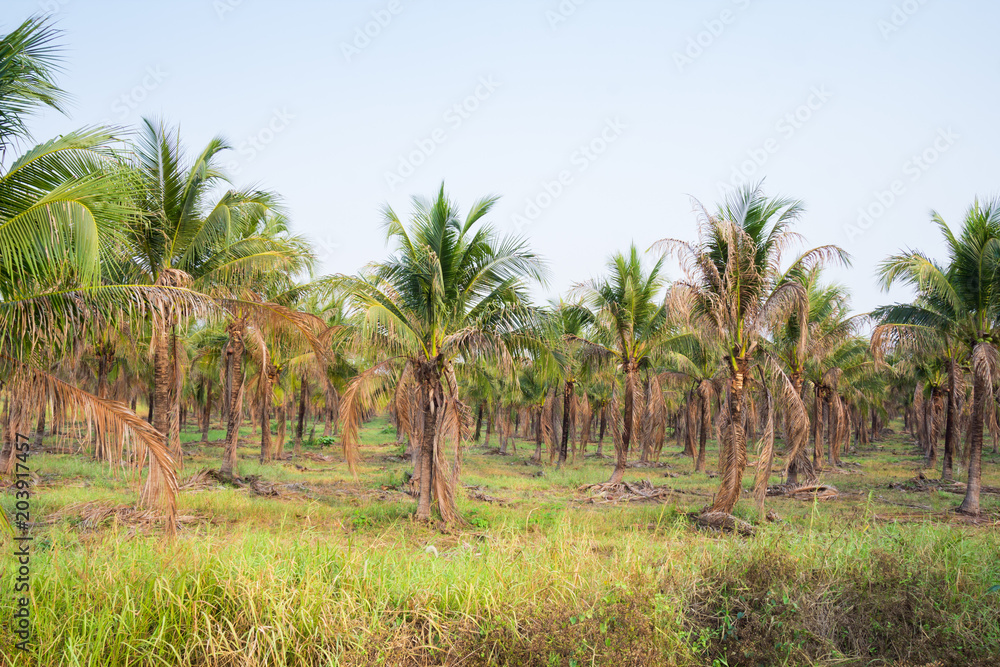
x: 346, y: 577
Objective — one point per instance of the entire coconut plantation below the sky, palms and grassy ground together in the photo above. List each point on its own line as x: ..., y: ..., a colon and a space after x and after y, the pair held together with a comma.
x: 213, y: 454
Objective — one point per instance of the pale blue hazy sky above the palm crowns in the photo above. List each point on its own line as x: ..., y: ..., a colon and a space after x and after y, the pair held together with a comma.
x: 873, y: 82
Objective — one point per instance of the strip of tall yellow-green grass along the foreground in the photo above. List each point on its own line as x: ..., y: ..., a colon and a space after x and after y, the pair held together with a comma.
x: 568, y: 589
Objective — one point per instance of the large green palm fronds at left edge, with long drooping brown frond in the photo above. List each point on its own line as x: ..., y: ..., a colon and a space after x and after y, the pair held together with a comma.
x: 61, y: 207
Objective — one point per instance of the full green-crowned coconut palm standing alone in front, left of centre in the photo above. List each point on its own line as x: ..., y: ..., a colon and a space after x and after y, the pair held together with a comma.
x: 454, y: 292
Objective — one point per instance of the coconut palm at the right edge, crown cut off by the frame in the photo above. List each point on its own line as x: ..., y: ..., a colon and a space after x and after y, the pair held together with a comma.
x: 960, y: 303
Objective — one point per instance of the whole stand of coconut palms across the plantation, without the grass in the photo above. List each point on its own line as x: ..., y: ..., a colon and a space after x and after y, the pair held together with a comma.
x: 136, y: 275
